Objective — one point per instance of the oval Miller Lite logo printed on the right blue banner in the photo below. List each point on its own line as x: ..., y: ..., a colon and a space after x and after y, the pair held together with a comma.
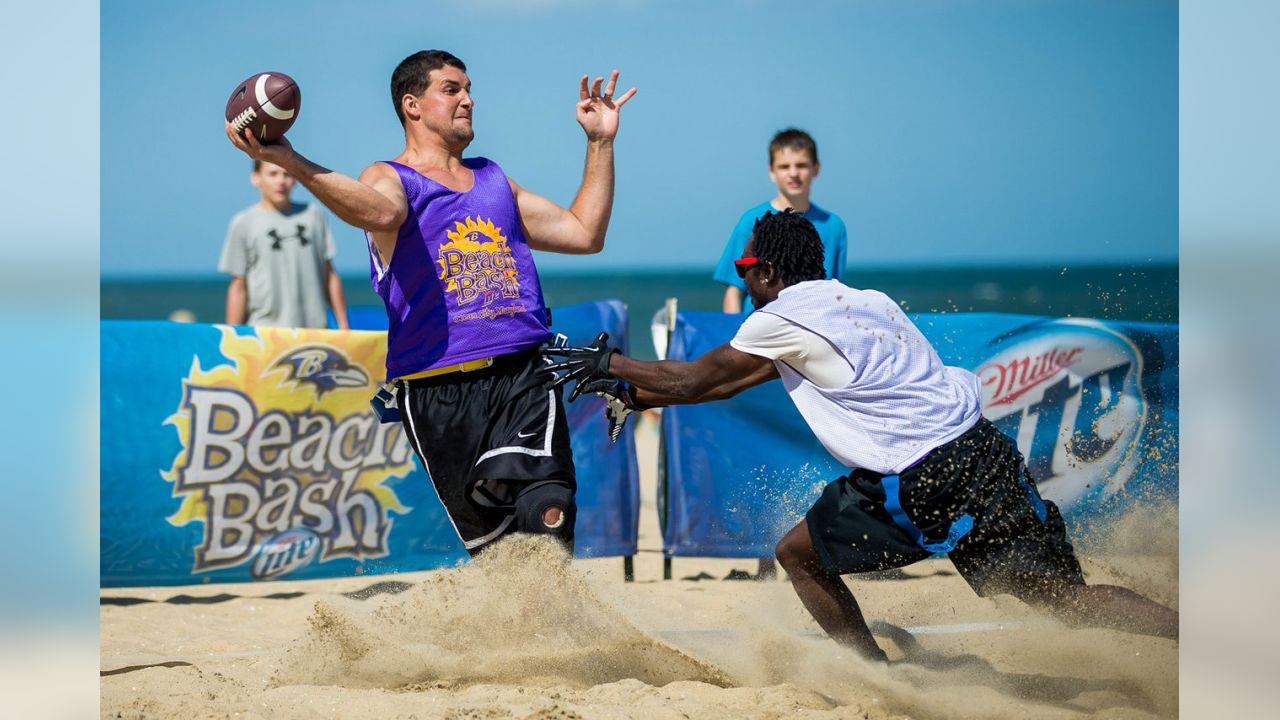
x: 1069, y: 393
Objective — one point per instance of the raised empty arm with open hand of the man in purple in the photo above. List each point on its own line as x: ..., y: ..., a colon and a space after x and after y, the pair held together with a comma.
x: 580, y: 229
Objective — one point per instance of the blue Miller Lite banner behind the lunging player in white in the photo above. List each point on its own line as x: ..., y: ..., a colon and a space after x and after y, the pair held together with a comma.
x: 1092, y: 405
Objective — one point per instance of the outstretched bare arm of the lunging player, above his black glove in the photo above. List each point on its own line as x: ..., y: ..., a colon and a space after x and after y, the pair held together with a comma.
x: 721, y: 373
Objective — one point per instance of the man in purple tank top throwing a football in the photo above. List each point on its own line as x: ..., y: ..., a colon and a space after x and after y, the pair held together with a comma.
x: 450, y: 243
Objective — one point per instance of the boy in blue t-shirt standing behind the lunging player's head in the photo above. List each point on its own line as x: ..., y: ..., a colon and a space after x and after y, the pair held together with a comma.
x: 793, y: 168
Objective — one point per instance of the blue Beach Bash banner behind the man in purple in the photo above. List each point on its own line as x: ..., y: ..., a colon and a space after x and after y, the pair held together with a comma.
x: 234, y: 454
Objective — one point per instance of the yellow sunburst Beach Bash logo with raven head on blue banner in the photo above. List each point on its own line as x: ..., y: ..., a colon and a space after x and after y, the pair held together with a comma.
x: 282, y: 459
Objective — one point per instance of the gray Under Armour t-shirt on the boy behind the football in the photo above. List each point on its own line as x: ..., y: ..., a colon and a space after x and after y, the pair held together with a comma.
x: 285, y: 261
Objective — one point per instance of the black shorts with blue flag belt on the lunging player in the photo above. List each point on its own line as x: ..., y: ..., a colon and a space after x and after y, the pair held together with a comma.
x: 970, y: 499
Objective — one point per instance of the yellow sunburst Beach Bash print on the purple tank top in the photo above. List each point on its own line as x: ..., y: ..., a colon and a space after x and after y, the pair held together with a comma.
x: 477, y: 267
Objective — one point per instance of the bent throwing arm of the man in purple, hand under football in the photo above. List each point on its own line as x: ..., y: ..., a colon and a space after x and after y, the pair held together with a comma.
x: 374, y: 203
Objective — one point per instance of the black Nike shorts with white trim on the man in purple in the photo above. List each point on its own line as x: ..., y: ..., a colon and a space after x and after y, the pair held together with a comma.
x: 487, y: 436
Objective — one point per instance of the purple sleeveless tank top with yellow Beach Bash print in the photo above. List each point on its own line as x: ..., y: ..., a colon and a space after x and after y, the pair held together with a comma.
x: 461, y: 284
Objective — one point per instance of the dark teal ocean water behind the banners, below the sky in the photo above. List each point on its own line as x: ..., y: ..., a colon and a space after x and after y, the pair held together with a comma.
x: 1146, y: 293
